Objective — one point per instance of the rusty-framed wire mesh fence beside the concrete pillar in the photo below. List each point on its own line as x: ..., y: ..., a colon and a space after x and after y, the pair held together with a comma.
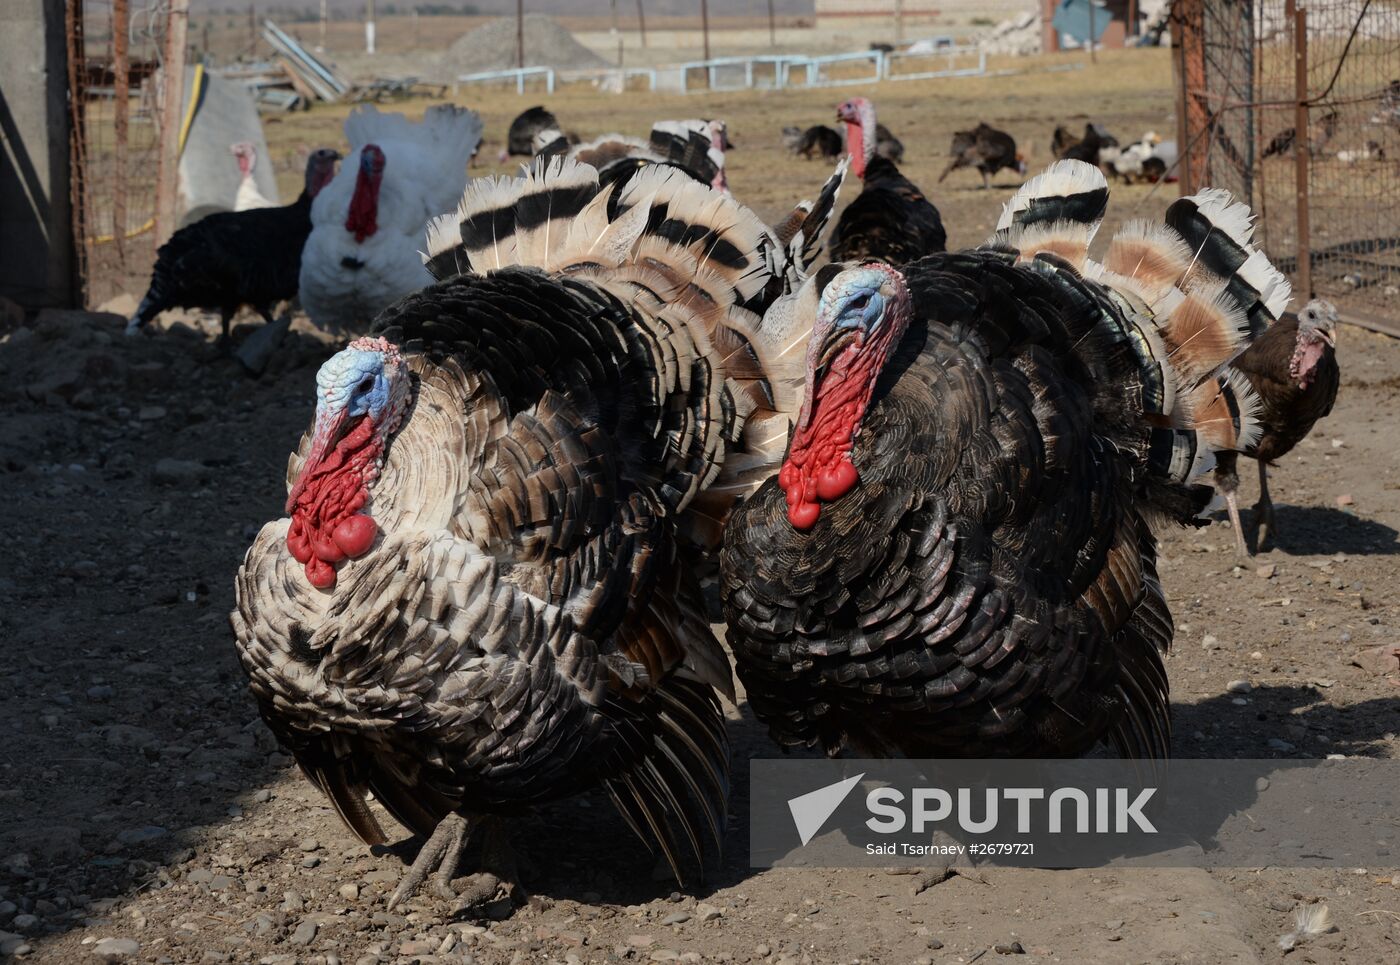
x: 115, y: 48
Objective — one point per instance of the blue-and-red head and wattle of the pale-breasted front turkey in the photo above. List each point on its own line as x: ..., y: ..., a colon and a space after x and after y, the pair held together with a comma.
x: 362, y: 396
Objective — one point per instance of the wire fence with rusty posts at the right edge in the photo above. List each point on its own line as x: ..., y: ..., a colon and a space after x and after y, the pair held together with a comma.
x: 1296, y: 106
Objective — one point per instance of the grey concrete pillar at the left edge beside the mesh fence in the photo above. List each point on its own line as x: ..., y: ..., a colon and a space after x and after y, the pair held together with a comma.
x: 37, y: 260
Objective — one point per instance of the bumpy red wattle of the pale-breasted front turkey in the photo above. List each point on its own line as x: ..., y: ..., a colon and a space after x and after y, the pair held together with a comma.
x: 327, y: 525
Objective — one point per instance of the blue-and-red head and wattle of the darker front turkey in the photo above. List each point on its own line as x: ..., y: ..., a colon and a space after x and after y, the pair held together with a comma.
x: 862, y: 317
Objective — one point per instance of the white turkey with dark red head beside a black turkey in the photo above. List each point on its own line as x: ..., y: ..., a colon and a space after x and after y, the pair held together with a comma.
x: 367, y: 225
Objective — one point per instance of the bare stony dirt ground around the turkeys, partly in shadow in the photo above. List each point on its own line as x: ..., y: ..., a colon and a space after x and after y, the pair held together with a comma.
x: 146, y: 814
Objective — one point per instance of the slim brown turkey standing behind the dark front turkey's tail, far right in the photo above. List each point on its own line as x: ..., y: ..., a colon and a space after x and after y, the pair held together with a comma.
x: 1293, y: 369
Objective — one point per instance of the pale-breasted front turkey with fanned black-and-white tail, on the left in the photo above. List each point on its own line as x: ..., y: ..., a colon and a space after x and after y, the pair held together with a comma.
x: 482, y: 599
